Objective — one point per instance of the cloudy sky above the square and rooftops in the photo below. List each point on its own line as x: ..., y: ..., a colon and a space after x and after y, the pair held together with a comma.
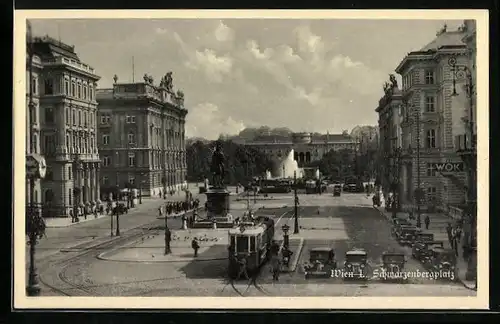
x: 308, y: 75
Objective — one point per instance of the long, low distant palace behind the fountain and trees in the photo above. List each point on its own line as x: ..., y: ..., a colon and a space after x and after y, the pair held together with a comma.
x: 307, y: 147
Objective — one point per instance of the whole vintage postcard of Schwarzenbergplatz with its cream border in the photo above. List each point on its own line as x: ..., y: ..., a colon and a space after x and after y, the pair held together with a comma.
x: 297, y: 159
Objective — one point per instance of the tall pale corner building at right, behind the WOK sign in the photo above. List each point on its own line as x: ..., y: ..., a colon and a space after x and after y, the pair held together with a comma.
x: 430, y: 117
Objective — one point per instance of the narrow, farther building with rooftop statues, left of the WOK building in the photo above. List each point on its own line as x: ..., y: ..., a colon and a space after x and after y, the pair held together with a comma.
x: 388, y: 110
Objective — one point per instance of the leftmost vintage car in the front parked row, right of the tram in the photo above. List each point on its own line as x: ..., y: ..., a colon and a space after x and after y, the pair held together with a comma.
x: 321, y: 263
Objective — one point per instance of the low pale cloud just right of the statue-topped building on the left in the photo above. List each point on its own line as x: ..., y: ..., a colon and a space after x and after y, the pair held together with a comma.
x: 208, y: 121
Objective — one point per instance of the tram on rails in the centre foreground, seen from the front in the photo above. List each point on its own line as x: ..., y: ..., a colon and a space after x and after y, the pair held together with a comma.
x: 249, y: 245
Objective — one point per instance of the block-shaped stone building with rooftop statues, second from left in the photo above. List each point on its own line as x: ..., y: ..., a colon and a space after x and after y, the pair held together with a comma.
x: 142, y: 136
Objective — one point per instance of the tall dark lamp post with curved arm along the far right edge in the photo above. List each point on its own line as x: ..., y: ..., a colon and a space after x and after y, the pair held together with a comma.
x: 468, y: 154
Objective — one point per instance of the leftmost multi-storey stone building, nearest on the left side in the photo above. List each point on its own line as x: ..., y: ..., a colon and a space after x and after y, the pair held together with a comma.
x: 65, y: 88
